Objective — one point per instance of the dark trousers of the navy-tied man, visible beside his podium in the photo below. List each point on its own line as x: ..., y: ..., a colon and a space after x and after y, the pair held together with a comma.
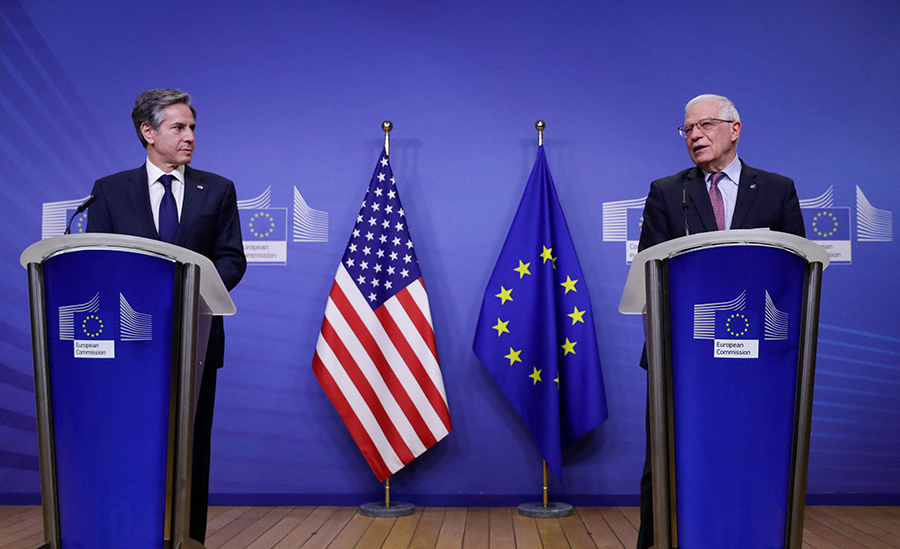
x: 200, y: 468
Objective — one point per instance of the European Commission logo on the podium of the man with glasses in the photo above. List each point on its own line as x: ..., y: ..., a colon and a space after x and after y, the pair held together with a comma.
x: 736, y: 329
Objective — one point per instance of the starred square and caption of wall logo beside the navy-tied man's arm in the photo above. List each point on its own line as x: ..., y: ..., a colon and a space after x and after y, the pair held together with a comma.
x: 264, y: 230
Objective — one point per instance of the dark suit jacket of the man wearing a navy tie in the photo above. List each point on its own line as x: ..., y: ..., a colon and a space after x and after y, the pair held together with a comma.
x: 209, y: 225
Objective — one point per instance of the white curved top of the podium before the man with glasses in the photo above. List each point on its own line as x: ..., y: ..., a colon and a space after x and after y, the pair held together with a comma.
x: 634, y: 298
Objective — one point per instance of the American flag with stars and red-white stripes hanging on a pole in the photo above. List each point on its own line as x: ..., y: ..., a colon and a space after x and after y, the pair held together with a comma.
x: 376, y: 358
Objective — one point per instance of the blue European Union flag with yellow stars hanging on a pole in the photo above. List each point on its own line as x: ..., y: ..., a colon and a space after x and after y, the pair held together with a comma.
x: 535, y: 333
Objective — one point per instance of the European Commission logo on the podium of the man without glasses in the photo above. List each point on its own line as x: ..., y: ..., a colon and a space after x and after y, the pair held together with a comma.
x: 93, y: 333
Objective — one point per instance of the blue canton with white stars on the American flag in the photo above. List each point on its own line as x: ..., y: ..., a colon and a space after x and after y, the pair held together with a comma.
x: 380, y: 256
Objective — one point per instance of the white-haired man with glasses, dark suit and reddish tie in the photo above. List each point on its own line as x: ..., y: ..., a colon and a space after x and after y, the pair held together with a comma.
x: 719, y: 193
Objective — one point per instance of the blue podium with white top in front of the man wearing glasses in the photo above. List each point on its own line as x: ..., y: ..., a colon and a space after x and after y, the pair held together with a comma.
x: 731, y: 322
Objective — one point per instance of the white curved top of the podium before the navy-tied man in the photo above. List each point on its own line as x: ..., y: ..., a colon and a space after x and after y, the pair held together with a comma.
x: 212, y: 289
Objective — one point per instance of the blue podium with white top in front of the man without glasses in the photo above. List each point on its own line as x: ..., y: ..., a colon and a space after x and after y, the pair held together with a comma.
x: 119, y: 331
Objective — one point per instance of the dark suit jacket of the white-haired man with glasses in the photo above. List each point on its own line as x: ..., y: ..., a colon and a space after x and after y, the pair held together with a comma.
x: 765, y: 200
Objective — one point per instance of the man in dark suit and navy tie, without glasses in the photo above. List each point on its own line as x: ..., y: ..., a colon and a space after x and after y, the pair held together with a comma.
x: 167, y: 200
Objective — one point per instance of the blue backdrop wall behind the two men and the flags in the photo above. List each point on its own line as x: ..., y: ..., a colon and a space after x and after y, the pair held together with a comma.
x: 290, y: 99
